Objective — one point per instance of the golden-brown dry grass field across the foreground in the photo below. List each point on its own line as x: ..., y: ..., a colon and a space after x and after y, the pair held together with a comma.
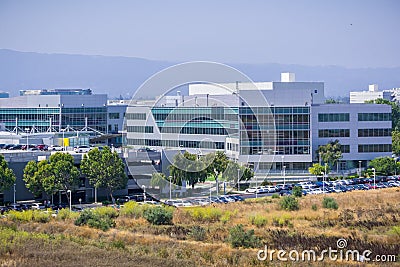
x: 200, y: 236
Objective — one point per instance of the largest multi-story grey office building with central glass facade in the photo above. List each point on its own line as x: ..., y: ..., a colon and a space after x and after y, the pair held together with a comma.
x: 268, y: 125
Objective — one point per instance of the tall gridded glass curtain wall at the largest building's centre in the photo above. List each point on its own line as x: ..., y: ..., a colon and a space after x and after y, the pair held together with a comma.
x: 275, y: 130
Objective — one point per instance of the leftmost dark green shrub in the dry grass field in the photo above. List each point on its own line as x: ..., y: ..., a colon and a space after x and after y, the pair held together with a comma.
x: 94, y: 219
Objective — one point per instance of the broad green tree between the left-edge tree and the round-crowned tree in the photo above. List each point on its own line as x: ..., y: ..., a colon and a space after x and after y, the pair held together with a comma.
x: 50, y: 176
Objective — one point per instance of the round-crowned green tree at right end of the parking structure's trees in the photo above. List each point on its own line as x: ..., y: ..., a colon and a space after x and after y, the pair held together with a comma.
x: 105, y: 169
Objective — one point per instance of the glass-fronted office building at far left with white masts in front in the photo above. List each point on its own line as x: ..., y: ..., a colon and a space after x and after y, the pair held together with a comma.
x: 55, y: 109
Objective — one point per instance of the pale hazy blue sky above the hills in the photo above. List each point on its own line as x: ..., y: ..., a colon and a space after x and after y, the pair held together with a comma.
x: 360, y: 33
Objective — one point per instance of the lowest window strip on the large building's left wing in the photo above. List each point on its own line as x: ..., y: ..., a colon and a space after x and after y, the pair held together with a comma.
x: 176, y: 143
